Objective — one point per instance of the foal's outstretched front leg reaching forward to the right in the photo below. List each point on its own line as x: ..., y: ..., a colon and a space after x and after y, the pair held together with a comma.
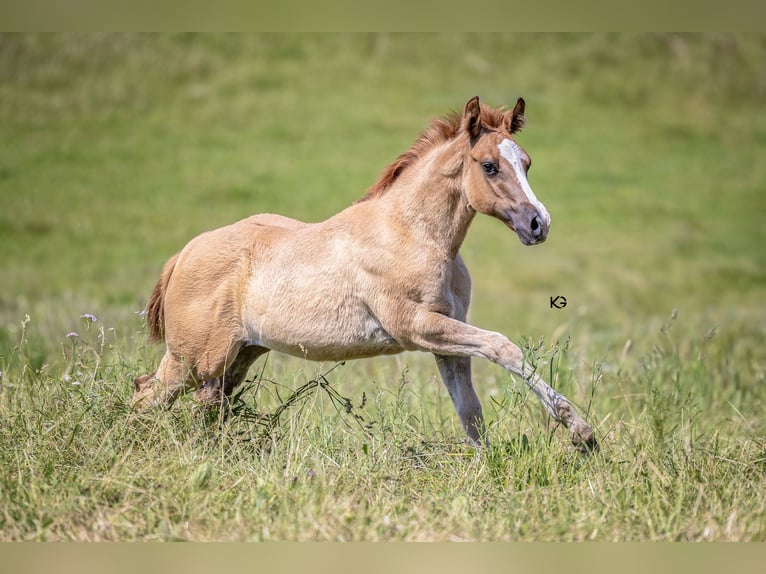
x: 441, y: 335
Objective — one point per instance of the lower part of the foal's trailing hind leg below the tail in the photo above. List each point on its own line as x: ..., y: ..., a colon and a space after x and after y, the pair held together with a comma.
x: 172, y: 378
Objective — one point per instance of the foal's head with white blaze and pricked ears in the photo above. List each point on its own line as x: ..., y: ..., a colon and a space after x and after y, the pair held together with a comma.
x: 495, y: 173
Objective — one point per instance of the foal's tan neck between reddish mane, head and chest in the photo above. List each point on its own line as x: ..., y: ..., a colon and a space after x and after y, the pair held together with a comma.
x: 429, y: 202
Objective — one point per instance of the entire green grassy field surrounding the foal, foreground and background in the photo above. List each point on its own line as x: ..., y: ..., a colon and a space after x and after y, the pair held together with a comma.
x: 649, y: 153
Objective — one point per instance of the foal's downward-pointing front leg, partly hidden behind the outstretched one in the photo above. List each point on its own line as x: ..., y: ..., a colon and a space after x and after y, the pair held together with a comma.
x: 456, y: 374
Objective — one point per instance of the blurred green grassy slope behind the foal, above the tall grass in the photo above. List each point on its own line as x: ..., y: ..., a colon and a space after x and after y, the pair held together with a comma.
x: 648, y: 151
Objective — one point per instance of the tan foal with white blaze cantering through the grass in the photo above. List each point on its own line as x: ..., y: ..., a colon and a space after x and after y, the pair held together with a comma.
x: 382, y: 276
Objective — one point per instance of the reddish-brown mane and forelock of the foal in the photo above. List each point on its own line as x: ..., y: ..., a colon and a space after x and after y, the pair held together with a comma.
x: 438, y: 131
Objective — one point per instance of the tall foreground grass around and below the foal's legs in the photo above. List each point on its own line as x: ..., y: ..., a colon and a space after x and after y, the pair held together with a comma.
x: 312, y: 452
